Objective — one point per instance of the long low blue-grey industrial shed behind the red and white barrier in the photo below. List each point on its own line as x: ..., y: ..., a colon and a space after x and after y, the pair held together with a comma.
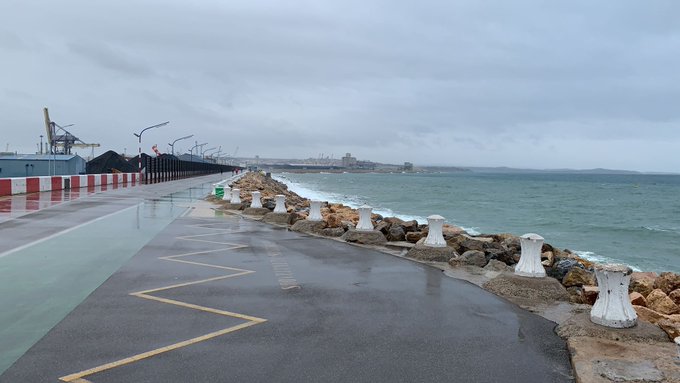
x: 33, y: 165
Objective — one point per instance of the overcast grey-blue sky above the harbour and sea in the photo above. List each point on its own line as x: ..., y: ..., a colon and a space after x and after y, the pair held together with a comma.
x: 538, y: 84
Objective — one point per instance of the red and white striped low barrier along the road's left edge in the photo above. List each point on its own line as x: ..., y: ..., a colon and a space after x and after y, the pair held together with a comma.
x: 25, y: 185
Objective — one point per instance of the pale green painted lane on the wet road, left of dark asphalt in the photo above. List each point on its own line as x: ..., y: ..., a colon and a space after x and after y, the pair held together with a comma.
x: 41, y: 284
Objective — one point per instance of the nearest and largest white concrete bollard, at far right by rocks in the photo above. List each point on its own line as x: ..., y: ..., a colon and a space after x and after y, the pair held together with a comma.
x: 612, y: 307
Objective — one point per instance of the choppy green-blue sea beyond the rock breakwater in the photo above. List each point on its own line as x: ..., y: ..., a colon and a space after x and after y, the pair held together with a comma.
x: 632, y: 219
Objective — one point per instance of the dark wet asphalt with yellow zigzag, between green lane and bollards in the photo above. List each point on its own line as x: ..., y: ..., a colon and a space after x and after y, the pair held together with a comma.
x: 298, y: 309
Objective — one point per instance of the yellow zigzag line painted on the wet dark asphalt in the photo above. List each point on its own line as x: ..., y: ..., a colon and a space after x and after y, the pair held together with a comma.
x: 251, y: 320
